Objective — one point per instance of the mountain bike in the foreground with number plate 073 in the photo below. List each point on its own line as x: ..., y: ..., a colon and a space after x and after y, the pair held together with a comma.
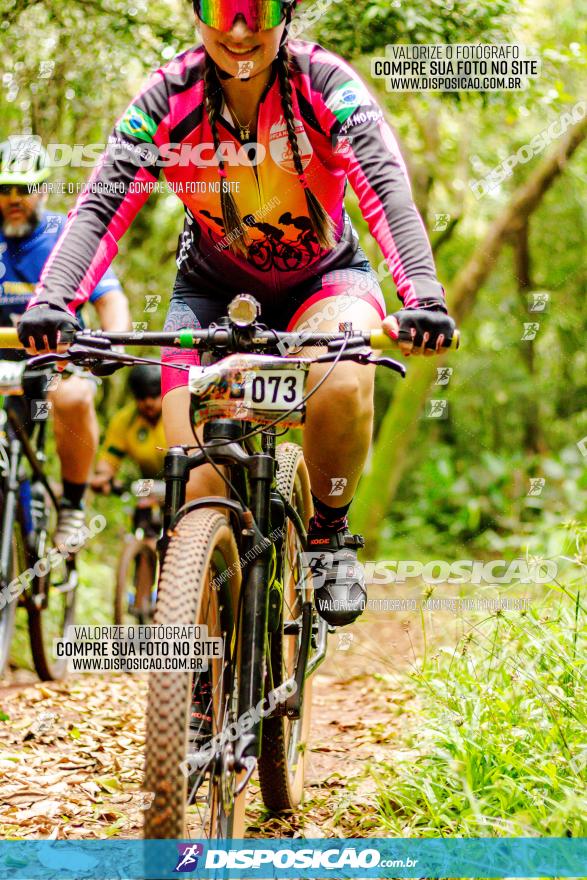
x: 237, y: 565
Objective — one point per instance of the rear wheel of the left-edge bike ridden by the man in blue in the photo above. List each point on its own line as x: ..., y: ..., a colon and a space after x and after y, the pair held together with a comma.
x: 52, y: 599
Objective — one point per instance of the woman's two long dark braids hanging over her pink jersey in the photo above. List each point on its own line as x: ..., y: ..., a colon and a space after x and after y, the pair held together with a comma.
x: 234, y: 225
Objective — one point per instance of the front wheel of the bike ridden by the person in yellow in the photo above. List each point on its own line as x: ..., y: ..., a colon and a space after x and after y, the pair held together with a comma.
x: 135, y: 582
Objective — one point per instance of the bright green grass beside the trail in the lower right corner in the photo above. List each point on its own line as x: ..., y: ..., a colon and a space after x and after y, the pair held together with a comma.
x: 500, y: 734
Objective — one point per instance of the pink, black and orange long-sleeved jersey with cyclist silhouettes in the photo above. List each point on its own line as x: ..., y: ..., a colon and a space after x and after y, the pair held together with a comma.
x: 342, y: 136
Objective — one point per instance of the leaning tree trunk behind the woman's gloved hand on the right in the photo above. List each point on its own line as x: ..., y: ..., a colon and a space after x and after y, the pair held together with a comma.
x: 400, y: 424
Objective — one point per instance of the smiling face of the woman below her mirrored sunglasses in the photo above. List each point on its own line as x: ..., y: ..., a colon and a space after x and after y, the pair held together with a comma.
x: 231, y: 49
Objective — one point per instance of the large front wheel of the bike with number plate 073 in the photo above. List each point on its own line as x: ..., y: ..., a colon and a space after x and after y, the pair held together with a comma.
x: 199, y: 584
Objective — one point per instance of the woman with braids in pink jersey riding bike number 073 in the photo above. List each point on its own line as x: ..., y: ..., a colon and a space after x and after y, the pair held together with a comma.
x: 258, y: 136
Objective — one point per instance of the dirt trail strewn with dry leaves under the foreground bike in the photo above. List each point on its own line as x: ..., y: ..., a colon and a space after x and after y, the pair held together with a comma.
x: 71, y: 753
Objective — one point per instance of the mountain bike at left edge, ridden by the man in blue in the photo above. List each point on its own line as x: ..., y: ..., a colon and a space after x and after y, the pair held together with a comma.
x: 33, y: 573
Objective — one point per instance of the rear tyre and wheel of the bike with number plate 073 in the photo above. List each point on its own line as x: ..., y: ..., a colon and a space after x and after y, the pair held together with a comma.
x: 284, y: 741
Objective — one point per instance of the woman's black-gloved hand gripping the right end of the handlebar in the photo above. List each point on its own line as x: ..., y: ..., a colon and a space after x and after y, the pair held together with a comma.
x: 419, y: 331
